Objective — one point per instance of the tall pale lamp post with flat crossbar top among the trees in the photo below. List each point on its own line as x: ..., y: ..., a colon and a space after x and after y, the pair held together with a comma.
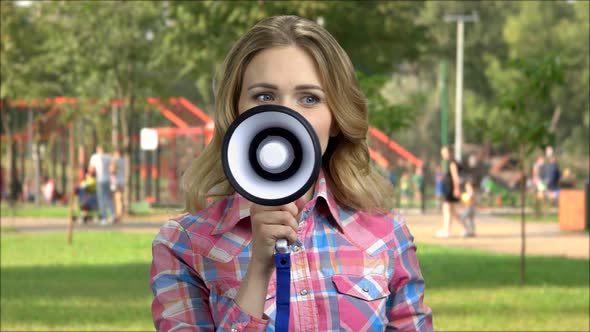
x: 460, y: 19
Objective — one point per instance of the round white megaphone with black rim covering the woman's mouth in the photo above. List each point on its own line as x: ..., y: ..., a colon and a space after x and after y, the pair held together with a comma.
x: 271, y: 155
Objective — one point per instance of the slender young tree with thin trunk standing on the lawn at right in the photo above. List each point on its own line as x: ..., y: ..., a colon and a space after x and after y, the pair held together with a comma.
x: 515, y: 122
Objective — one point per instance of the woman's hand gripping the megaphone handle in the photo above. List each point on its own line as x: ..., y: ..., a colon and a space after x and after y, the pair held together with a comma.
x: 269, y: 224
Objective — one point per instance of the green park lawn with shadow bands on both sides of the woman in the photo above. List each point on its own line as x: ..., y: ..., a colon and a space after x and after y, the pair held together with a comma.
x: 101, y: 283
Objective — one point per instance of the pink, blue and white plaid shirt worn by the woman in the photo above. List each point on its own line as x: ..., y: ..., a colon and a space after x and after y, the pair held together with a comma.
x: 350, y: 271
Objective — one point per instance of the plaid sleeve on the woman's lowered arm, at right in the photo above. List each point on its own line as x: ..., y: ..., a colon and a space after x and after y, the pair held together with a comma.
x: 405, y: 307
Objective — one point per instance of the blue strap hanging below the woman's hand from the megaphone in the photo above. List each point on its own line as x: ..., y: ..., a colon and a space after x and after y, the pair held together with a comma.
x: 283, y: 265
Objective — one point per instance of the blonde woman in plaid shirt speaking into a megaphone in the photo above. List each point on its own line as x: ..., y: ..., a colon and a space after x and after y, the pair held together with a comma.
x: 353, y: 265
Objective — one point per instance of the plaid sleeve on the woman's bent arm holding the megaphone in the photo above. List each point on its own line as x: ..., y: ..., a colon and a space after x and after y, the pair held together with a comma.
x: 181, y: 298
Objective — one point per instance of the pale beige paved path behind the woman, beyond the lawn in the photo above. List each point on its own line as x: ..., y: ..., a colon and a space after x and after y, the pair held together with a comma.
x: 494, y: 234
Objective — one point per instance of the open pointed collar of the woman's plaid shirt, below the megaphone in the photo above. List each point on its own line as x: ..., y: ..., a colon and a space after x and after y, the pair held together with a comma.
x: 238, y: 208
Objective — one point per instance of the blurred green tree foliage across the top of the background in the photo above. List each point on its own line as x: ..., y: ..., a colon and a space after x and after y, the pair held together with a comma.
x: 96, y: 50
